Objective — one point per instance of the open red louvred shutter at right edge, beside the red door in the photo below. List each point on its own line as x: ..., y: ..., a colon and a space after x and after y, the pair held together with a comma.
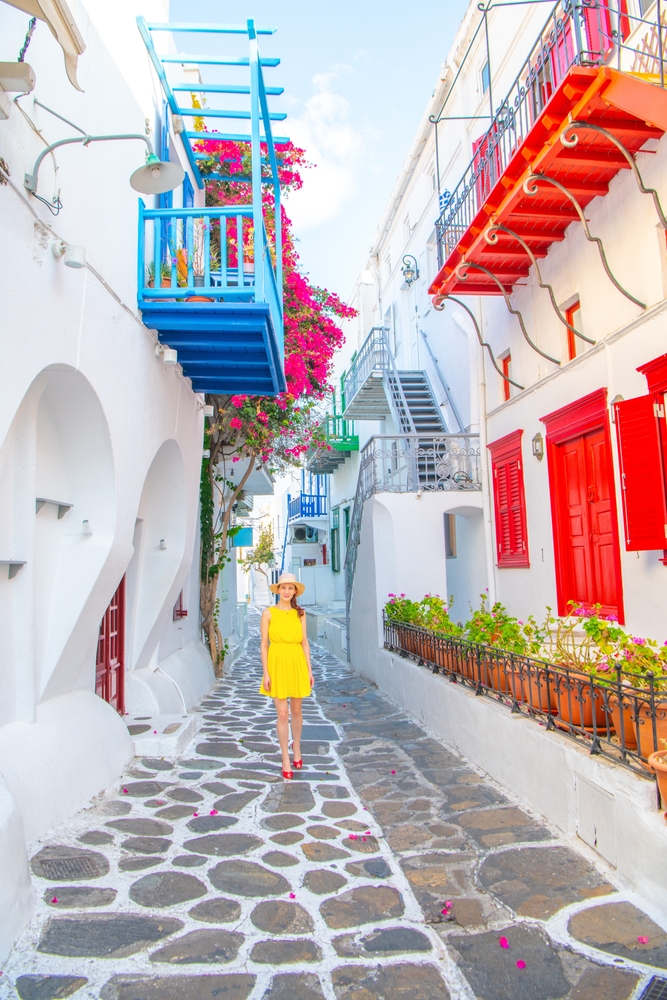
x: 642, y: 475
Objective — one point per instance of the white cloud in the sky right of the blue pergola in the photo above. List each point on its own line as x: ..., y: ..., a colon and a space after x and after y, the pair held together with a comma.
x: 332, y: 145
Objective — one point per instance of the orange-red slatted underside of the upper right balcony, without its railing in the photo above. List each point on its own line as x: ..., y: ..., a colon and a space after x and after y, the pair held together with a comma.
x: 632, y: 109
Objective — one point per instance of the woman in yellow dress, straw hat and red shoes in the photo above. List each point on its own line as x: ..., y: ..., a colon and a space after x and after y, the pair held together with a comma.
x: 288, y: 675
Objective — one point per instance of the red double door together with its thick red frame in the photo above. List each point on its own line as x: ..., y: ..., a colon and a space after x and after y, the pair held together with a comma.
x: 583, y: 507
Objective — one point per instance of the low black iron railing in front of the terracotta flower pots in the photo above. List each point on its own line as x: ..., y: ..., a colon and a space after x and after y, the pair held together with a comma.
x: 623, y: 718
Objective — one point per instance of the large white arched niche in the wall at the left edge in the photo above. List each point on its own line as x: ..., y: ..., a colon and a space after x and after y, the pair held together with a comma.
x: 56, y: 472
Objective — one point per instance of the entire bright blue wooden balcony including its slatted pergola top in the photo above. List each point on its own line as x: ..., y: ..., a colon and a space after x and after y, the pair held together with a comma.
x: 209, y: 279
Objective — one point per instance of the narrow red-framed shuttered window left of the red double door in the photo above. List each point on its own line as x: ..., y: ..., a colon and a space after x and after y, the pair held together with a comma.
x: 509, y: 501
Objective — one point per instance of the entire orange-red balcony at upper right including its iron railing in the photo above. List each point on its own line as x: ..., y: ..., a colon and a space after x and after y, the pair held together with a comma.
x: 564, y: 81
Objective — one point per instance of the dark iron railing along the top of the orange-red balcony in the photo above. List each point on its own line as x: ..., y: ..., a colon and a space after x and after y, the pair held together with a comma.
x: 576, y: 33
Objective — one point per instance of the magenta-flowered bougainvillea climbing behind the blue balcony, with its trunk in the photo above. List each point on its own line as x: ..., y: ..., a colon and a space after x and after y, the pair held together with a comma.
x: 274, y: 431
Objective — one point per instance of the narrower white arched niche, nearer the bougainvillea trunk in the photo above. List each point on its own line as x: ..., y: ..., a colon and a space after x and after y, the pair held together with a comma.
x: 159, y: 544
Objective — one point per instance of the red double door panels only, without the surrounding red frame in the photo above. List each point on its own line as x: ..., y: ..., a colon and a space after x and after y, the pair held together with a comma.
x: 587, y: 523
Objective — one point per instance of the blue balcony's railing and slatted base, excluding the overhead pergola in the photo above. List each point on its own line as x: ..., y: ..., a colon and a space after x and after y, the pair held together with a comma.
x: 222, y: 315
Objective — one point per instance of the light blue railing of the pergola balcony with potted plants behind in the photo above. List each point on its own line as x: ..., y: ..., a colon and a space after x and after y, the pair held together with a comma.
x: 187, y: 253
